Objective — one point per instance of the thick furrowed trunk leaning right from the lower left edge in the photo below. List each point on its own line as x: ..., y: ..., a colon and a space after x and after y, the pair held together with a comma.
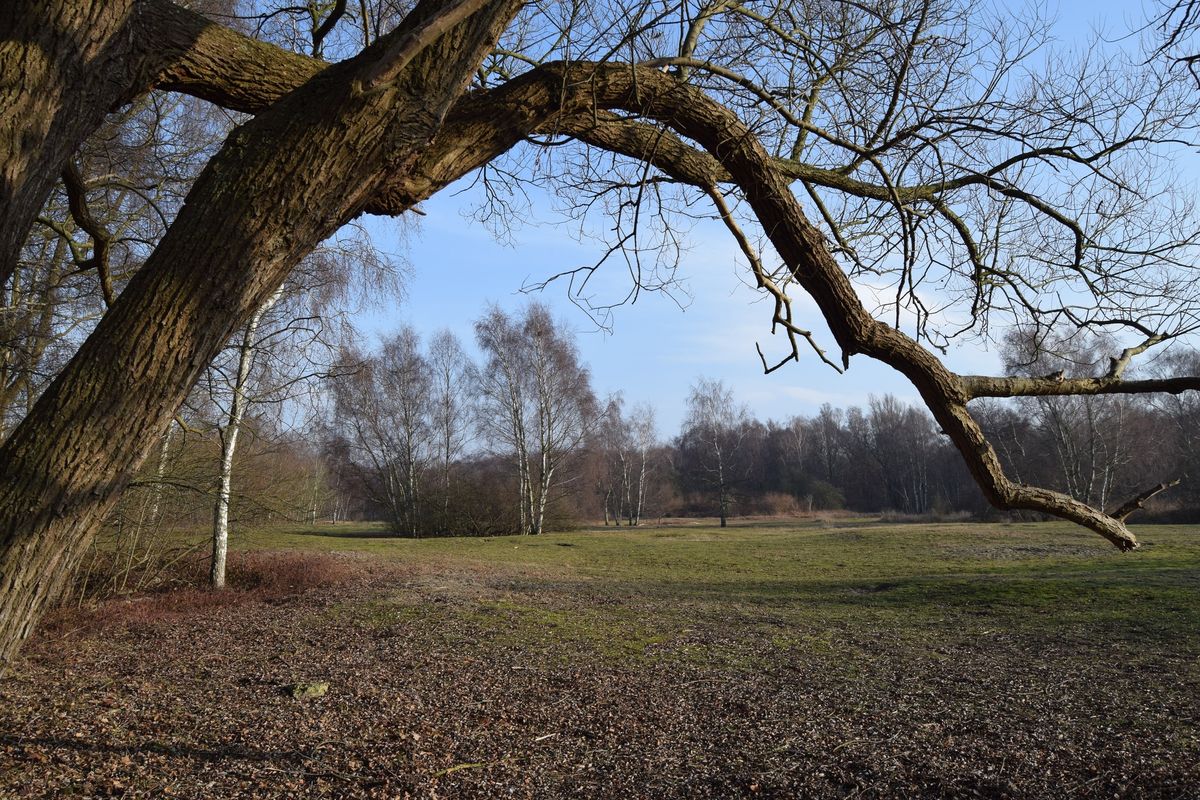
x: 284, y: 183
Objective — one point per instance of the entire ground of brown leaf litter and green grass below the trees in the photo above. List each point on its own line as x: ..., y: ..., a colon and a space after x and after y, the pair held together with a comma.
x: 783, y: 660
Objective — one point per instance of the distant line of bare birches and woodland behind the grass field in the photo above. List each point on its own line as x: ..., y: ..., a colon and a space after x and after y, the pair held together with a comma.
x: 431, y: 442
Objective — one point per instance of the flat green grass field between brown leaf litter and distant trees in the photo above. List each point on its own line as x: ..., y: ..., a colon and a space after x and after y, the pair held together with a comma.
x: 931, y: 580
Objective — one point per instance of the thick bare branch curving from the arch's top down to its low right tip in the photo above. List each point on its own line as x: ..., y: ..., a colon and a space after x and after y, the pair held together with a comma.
x: 766, y: 188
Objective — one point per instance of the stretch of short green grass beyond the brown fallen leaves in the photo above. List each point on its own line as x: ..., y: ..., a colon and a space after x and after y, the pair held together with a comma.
x: 623, y: 593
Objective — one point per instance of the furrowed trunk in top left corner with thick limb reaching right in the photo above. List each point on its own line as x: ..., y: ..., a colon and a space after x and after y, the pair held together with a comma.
x: 65, y: 64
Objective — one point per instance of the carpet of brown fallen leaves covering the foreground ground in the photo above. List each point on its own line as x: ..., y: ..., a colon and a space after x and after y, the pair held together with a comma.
x: 445, y: 702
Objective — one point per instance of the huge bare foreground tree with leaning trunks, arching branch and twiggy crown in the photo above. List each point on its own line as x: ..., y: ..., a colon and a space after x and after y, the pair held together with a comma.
x: 921, y: 135
